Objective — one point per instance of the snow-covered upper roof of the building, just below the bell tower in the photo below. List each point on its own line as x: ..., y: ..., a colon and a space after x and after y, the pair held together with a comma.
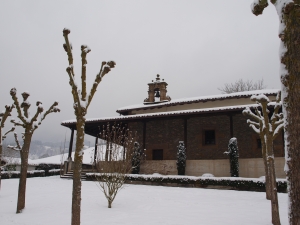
x: 244, y: 94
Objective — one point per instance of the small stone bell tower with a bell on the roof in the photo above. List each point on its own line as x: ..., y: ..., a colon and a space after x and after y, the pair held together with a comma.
x: 157, y: 89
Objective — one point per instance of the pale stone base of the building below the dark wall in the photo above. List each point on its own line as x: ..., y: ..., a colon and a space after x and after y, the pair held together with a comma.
x: 251, y: 167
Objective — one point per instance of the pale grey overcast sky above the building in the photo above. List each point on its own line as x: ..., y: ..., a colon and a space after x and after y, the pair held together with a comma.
x: 196, y: 46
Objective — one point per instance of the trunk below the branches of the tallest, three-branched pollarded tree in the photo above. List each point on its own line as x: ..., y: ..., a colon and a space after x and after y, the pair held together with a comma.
x: 76, y: 196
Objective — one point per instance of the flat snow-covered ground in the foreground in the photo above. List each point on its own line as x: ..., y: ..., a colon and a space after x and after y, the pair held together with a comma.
x: 48, y: 202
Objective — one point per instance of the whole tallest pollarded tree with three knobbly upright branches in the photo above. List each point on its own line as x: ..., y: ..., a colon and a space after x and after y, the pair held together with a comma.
x: 81, y: 103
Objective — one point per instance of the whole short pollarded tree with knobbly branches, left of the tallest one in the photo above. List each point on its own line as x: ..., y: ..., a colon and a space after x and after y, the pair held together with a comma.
x: 30, y: 124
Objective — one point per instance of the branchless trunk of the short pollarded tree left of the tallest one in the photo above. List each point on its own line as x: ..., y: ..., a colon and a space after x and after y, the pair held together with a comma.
x: 23, y: 174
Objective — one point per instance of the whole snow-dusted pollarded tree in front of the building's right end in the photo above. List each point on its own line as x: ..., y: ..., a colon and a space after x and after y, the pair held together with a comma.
x: 268, y: 130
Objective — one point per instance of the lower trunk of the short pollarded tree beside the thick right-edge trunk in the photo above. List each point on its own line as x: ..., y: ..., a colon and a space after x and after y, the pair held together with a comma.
x: 273, y: 185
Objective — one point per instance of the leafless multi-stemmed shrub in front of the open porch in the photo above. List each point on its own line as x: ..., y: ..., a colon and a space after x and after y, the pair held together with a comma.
x: 114, y: 160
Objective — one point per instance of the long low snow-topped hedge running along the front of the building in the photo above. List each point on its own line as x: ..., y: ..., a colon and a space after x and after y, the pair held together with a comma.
x: 232, y: 183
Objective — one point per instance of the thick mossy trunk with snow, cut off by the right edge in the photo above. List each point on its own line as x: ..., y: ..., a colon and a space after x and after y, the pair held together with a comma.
x: 291, y: 105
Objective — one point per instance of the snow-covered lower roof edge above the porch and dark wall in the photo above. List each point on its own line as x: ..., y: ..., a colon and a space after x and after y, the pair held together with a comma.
x: 165, y: 114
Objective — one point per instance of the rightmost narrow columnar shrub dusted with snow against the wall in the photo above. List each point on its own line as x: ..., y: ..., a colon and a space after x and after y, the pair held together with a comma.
x: 233, y: 153
